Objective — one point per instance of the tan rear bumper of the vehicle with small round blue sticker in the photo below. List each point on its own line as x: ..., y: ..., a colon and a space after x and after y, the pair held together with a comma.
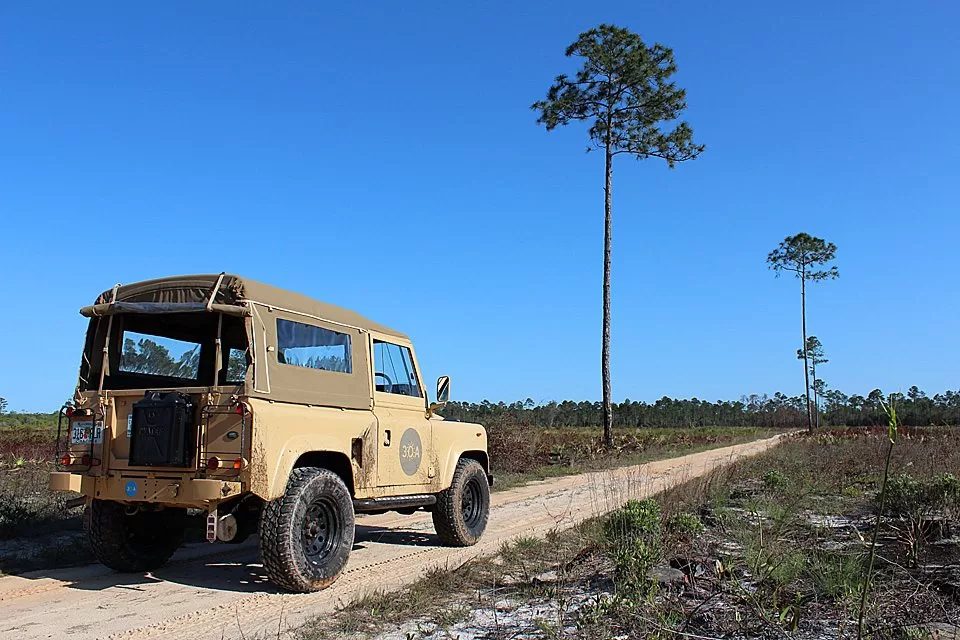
x: 189, y: 491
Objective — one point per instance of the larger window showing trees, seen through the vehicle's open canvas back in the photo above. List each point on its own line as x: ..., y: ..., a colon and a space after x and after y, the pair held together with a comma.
x: 159, y: 356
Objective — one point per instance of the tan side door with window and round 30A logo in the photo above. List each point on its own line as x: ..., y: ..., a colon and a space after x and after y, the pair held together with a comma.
x: 405, y: 434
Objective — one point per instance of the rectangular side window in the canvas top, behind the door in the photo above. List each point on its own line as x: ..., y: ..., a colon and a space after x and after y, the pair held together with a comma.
x: 304, y: 345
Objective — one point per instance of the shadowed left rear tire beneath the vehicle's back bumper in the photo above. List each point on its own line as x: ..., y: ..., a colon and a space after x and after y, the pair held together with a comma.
x: 134, y: 543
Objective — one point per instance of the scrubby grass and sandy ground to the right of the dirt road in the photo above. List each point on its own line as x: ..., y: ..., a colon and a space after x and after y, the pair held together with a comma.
x: 768, y: 546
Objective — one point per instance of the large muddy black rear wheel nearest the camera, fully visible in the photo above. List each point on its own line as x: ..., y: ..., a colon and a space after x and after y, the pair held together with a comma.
x: 306, y: 535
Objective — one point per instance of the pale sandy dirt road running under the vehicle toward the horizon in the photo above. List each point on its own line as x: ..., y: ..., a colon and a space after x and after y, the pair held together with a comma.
x: 215, y: 591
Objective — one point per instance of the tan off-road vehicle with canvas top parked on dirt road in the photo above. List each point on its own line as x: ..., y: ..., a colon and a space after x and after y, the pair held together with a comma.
x: 269, y: 412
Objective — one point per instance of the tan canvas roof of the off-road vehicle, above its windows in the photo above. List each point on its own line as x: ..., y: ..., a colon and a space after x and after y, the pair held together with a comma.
x: 233, y: 290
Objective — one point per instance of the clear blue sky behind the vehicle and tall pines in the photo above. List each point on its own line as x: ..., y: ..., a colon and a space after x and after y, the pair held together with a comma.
x: 383, y: 157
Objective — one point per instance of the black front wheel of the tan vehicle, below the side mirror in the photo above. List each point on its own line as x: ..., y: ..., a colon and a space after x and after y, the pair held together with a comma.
x: 461, y: 513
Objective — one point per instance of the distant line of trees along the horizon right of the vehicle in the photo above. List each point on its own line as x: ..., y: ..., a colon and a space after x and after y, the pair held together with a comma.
x: 914, y: 408
